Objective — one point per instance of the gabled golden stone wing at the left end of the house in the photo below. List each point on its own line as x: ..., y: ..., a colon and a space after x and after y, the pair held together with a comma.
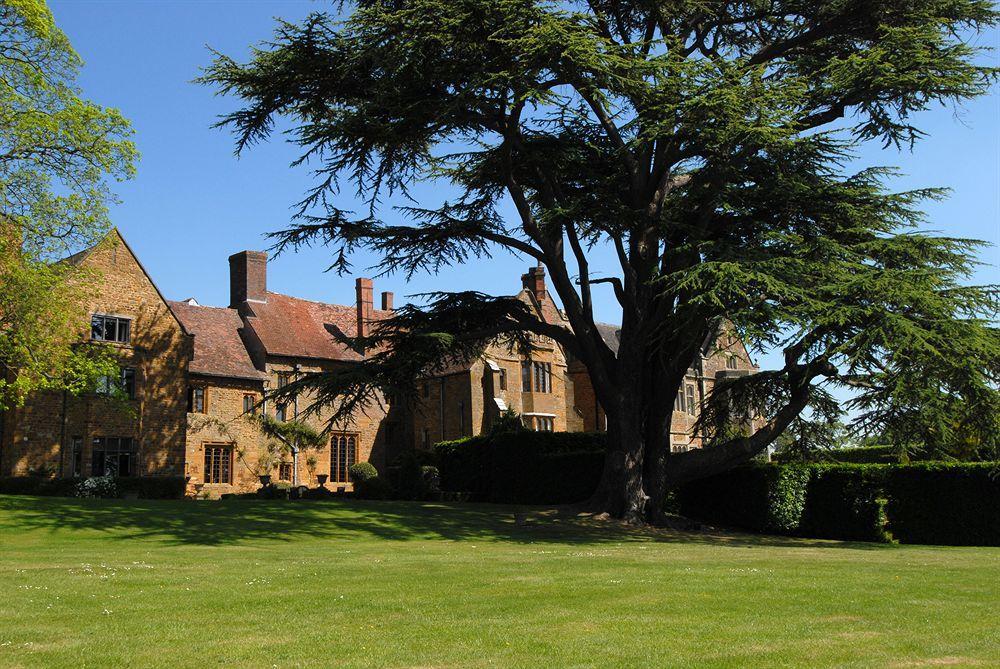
x: 139, y: 434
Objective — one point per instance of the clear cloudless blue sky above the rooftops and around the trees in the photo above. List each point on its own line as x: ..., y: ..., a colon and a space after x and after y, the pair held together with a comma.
x: 193, y: 203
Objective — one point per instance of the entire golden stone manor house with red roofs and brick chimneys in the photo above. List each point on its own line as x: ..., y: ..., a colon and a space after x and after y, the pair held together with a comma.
x: 198, y: 379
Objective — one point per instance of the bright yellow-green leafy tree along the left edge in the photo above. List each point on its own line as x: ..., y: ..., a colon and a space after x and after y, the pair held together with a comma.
x: 57, y: 152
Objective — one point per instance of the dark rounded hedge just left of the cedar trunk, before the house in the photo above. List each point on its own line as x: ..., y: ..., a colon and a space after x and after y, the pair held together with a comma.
x: 524, y: 467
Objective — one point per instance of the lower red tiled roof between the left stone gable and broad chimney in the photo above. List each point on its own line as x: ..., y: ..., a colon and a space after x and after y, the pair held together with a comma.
x: 218, y: 348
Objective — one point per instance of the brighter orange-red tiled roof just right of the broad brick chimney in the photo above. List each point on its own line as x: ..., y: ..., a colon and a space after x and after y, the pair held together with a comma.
x: 293, y: 327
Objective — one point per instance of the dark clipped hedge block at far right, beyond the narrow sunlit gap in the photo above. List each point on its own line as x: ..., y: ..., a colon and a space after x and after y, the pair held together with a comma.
x: 945, y: 503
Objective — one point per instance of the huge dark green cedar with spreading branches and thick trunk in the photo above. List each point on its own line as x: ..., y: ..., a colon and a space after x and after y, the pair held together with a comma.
x: 704, y: 143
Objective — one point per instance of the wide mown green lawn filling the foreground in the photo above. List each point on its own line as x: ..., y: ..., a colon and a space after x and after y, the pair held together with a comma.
x: 351, y: 584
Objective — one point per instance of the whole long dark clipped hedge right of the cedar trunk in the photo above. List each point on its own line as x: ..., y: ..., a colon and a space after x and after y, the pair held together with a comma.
x: 931, y: 503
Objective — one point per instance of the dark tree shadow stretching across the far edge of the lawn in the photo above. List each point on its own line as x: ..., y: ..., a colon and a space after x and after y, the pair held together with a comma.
x: 232, y: 522
